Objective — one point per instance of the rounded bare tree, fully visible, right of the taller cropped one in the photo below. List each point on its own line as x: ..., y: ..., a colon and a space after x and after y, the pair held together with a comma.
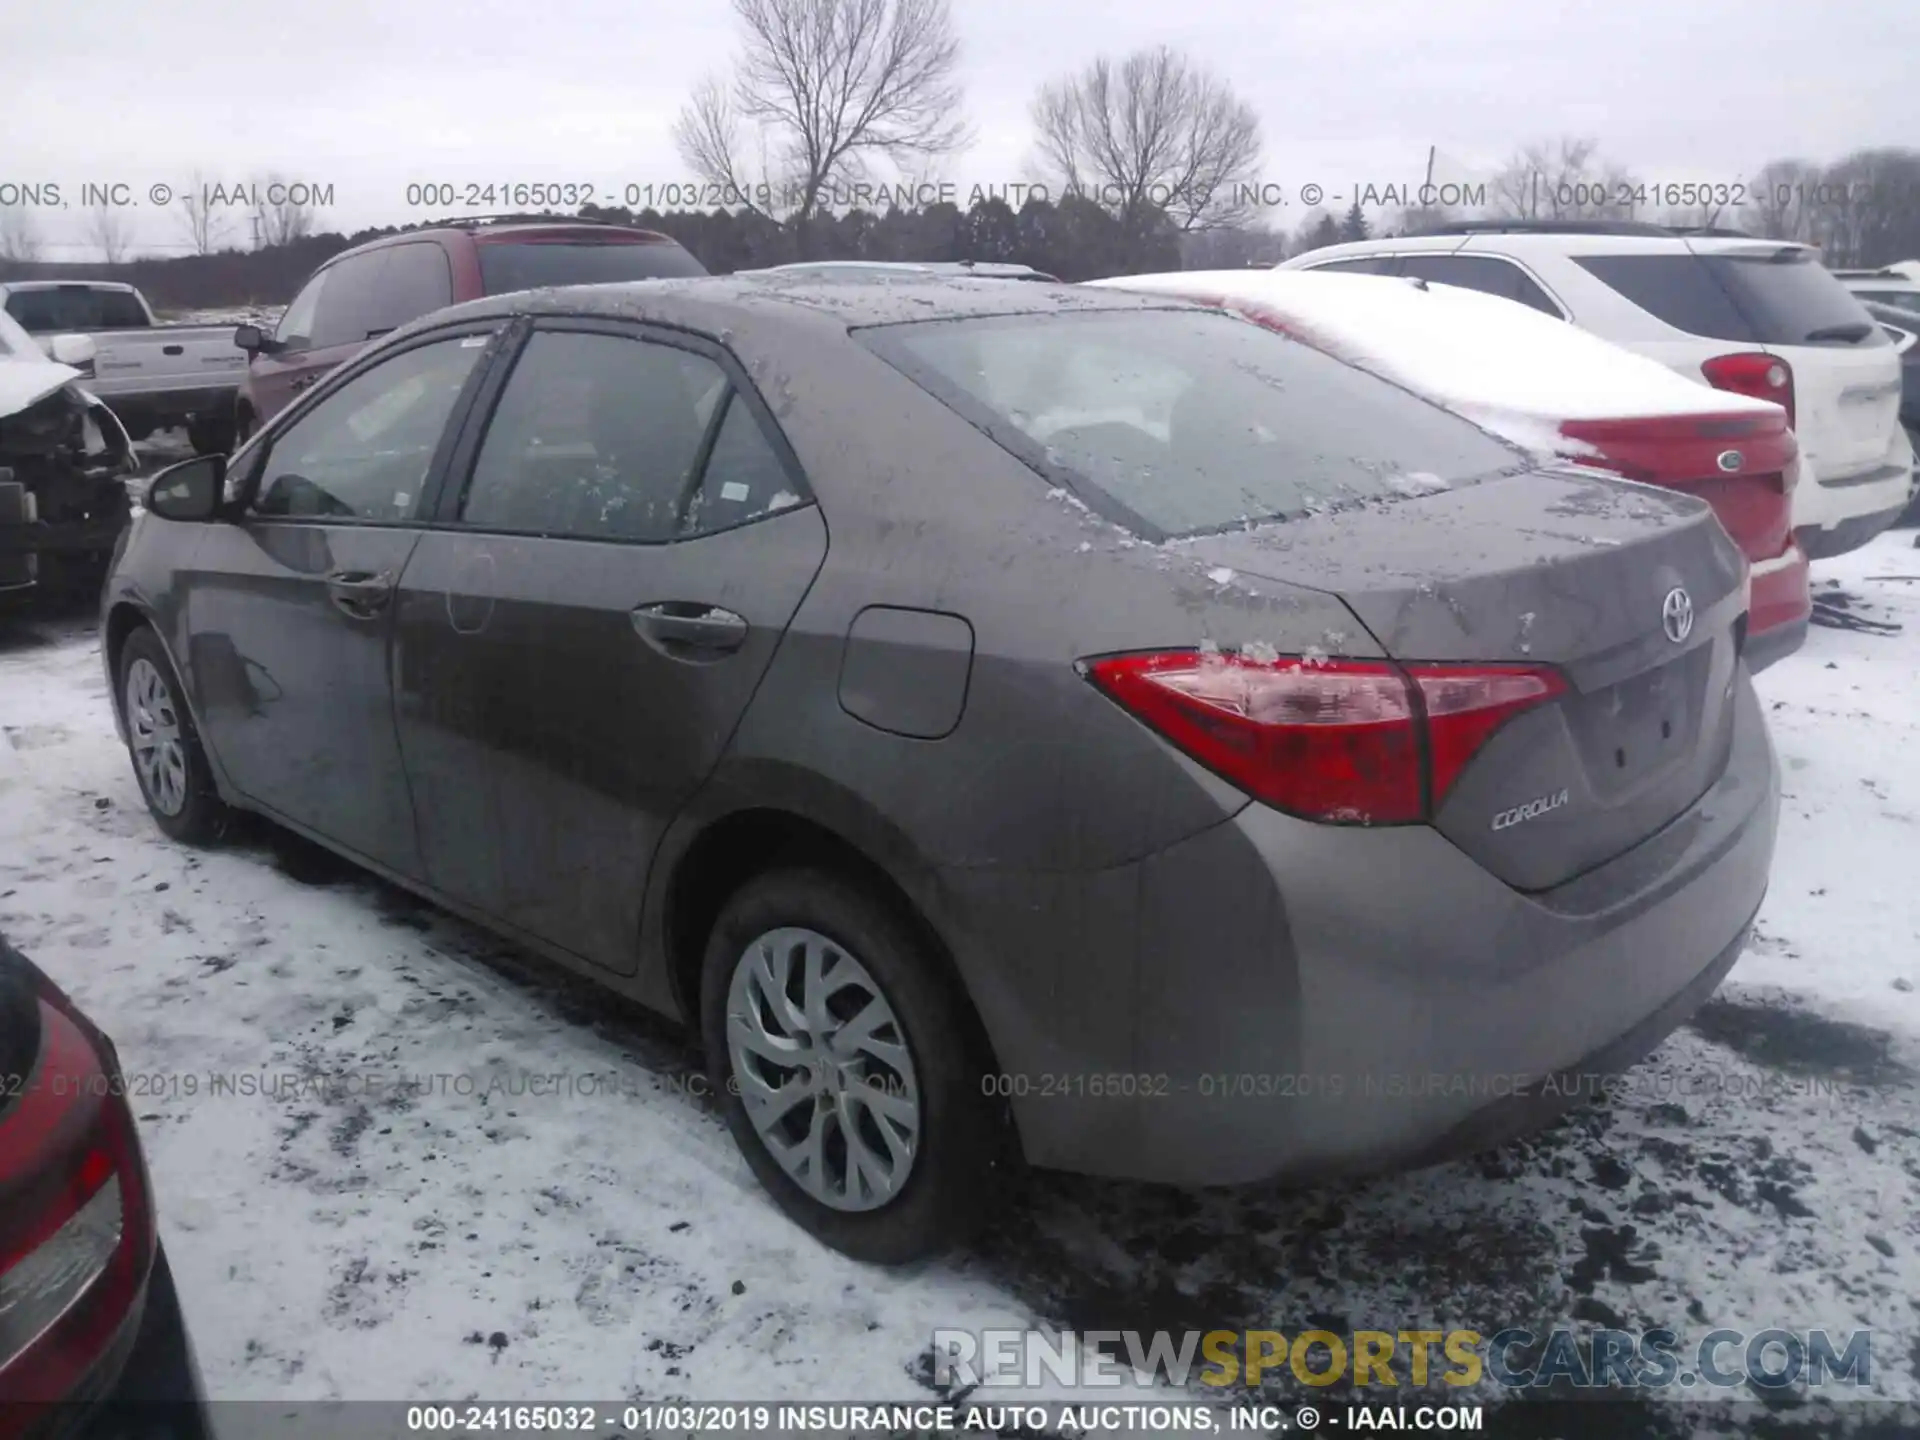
x: 1153, y: 133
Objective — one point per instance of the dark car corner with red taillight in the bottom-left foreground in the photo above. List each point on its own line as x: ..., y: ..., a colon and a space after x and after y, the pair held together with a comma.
x: 91, y: 1333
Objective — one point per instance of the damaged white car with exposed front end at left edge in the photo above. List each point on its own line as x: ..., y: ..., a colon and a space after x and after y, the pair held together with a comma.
x: 64, y: 466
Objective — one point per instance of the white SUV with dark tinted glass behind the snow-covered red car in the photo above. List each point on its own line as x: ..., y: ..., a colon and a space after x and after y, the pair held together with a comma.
x: 1762, y: 318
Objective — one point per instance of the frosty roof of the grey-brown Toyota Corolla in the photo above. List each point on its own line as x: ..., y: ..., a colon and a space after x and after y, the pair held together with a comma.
x: 717, y: 302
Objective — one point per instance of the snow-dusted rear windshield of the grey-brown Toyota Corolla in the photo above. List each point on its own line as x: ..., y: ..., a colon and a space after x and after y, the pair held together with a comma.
x: 1184, y: 421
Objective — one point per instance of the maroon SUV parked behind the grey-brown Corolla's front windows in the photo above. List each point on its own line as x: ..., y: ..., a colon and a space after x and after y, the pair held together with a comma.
x: 364, y: 293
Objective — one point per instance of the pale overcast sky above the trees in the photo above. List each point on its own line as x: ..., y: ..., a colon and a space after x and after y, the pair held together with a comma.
x: 373, y: 95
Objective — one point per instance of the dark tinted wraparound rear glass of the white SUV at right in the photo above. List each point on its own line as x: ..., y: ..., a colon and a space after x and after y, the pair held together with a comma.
x: 1781, y: 299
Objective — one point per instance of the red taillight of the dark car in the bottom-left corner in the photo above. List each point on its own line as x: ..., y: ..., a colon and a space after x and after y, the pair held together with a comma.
x: 76, y: 1222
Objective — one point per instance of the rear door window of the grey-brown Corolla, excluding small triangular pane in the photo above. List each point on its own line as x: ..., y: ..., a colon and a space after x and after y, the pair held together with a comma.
x: 596, y: 437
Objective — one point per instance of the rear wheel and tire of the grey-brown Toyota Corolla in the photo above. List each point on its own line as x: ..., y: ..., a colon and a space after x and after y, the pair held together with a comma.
x: 880, y: 1047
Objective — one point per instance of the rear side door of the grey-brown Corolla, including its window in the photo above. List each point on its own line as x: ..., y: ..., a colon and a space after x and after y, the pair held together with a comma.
x: 583, y: 631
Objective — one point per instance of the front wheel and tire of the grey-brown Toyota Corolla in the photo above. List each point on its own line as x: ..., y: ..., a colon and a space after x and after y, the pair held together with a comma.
x: 168, y: 759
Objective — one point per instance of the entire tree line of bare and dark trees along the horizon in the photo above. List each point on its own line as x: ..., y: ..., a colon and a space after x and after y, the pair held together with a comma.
x: 1147, y: 162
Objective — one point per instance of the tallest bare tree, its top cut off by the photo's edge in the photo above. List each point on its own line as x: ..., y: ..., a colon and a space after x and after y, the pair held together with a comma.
x: 827, y: 87
